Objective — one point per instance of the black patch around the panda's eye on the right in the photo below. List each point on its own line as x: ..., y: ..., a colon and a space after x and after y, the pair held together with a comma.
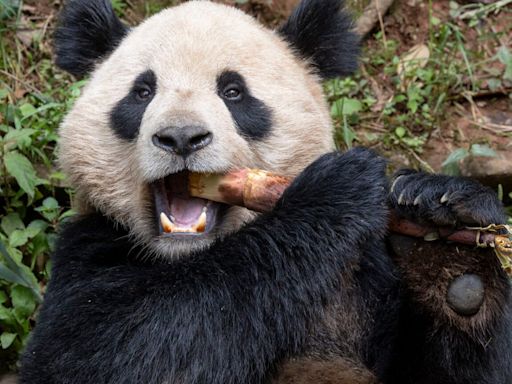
x: 252, y: 117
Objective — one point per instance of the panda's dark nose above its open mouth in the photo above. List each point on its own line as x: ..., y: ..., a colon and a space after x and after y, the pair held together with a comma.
x: 183, y: 140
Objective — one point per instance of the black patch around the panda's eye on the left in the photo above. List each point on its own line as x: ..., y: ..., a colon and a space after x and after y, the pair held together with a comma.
x: 126, y: 116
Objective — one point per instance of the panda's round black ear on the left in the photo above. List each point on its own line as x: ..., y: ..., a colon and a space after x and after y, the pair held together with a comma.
x: 87, y: 31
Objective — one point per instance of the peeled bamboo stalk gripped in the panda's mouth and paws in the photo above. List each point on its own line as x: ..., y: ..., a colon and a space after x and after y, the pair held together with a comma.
x: 259, y: 190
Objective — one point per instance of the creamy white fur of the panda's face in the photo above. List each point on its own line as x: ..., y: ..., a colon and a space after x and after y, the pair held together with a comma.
x: 187, y: 47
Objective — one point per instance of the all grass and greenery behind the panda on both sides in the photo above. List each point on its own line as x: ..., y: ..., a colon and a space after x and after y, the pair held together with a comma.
x: 396, y: 103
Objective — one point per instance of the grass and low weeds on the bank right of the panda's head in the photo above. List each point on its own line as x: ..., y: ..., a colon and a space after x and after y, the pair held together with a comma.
x: 400, y: 97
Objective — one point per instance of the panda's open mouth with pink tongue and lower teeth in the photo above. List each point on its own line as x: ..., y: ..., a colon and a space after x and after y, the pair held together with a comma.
x: 178, y: 213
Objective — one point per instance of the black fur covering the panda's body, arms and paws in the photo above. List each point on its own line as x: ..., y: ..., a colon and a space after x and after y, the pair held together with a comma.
x: 233, y: 313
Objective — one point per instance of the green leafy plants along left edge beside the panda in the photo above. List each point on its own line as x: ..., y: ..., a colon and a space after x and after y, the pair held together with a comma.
x: 35, y: 200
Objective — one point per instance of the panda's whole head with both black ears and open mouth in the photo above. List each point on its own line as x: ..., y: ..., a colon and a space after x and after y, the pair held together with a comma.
x: 200, y: 87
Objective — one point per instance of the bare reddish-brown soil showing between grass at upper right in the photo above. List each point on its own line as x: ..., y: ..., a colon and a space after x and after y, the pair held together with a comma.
x: 466, y: 122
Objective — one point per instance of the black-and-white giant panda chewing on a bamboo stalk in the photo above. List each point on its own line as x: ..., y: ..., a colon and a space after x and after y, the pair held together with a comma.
x: 314, y: 291
